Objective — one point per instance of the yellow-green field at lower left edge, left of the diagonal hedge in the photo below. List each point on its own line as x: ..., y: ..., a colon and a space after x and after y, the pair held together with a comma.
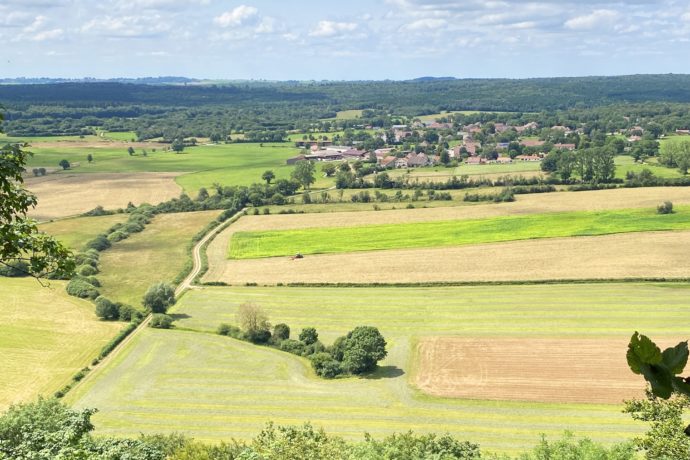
x: 45, y: 338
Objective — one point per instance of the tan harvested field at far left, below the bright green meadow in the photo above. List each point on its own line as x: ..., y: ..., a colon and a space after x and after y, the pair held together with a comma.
x: 69, y: 194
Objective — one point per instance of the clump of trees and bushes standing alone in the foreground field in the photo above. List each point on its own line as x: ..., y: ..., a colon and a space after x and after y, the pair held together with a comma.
x: 356, y: 353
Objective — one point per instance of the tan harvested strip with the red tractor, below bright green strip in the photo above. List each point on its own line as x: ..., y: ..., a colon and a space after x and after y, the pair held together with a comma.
x: 626, y: 255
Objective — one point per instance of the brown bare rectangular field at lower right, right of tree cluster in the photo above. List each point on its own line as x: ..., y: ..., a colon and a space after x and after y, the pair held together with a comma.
x: 563, y: 370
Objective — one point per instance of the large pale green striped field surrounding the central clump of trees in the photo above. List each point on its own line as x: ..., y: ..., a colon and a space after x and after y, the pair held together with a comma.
x: 213, y: 387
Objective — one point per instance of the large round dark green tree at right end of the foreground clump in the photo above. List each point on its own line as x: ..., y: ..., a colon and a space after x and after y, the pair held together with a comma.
x: 363, y: 348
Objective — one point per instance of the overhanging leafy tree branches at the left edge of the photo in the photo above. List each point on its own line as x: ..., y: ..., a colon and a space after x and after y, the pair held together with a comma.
x: 21, y: 240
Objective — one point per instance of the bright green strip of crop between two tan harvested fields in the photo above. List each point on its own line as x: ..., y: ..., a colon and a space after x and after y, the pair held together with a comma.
x: 251, y: 245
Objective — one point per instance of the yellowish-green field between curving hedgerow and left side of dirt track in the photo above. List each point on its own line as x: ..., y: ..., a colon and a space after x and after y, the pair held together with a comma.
x: 157, y: 254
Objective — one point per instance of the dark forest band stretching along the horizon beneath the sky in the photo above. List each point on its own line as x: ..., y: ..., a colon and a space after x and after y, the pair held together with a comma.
x: 201, y: 110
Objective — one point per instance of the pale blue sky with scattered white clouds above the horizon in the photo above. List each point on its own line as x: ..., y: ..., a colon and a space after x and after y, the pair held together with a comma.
x: 343, y: 39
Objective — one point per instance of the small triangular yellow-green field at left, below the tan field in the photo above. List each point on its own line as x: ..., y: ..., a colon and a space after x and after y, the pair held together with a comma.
x: 77, y: 231
